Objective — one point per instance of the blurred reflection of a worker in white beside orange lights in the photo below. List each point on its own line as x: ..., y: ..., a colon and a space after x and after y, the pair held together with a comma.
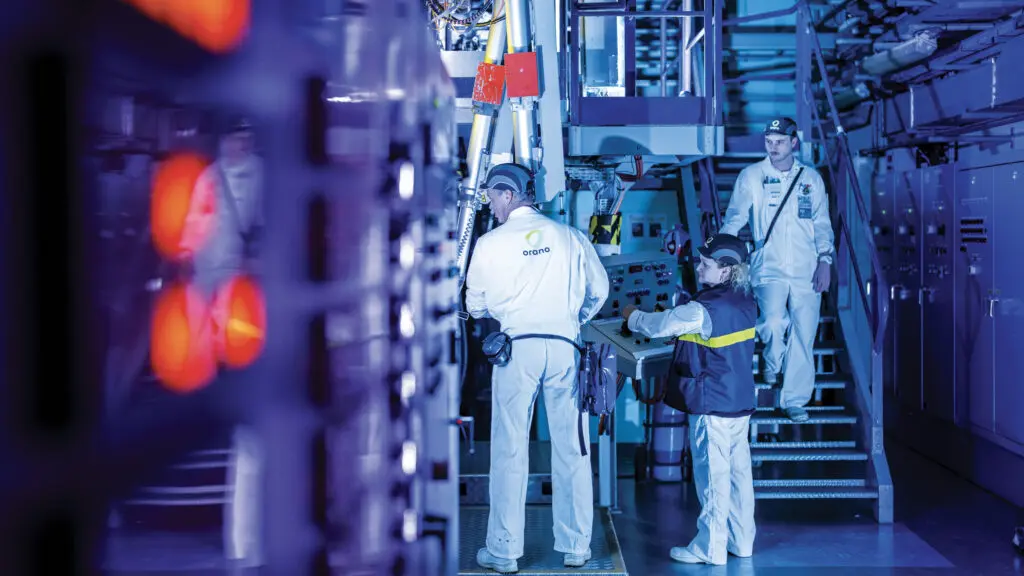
x: 221, y: 245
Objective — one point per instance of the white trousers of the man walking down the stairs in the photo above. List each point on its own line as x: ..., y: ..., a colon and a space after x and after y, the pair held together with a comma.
x: 791, y: 307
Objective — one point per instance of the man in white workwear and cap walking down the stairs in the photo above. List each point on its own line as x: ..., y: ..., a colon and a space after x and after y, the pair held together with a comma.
x: 792, y: 260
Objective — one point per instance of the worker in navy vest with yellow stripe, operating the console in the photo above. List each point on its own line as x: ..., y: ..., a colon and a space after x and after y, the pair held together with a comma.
x: 711, y: 381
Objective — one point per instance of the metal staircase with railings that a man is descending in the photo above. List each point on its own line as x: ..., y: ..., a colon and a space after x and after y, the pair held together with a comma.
x: 839, y: 452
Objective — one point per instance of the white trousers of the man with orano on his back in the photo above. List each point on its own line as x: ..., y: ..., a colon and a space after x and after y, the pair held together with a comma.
x: 550, y: 365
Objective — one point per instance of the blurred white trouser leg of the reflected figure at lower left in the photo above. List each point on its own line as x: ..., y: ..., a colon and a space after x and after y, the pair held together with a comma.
x: 242, y: 512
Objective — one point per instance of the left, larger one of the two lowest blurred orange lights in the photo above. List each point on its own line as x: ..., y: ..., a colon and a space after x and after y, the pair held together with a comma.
x: 182, y: 350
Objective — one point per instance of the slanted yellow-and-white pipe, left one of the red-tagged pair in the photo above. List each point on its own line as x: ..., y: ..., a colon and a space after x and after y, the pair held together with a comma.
x: 478, y: 151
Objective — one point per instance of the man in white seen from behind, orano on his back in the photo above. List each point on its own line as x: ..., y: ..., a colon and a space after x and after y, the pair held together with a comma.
x: 535, y: 276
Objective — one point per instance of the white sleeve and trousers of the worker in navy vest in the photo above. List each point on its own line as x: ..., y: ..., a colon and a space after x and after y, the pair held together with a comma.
x: 721, y: 451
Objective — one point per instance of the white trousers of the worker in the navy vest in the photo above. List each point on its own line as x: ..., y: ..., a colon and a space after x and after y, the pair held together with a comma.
x: 726, y: 487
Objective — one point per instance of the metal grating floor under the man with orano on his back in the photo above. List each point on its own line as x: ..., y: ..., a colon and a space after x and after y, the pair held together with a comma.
x: 540, y: 558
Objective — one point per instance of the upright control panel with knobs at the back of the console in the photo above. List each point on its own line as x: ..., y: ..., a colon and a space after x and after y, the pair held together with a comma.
x: 647, y: 280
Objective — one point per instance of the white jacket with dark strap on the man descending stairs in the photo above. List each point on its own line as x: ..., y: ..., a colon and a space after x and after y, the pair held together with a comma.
x: 803, y: 235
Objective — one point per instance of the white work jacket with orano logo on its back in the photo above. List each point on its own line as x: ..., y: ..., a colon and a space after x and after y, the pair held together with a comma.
x: 534, y: 275
